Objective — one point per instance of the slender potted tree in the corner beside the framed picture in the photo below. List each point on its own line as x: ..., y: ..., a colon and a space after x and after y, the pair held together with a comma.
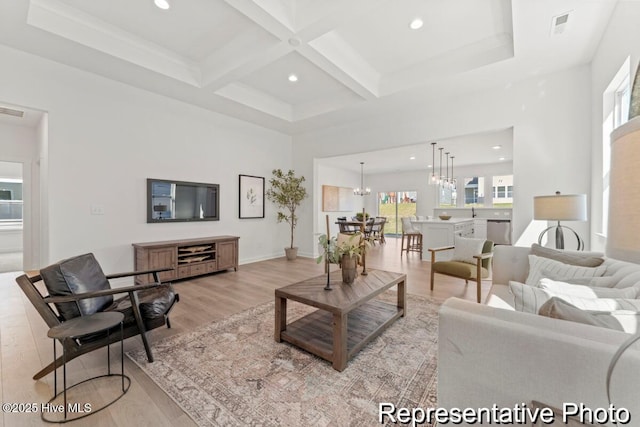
x: 287, y: 193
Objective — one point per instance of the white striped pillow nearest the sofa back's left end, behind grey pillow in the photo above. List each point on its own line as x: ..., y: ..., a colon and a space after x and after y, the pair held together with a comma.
x: 529, y: 299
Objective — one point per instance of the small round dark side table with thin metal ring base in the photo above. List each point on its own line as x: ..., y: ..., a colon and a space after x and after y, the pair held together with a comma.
x: 79, y: 328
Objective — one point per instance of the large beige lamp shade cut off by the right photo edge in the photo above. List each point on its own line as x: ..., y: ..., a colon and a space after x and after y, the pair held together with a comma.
x: 623, y: 234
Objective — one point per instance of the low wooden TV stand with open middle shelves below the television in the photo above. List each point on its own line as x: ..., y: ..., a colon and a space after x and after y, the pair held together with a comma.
x: 187, y: 258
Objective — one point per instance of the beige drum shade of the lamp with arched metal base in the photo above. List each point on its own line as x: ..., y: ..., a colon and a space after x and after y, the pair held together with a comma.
x: 560, y: 207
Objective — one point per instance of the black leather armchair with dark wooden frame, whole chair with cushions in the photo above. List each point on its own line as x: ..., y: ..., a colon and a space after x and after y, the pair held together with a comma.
x: 78, y: 287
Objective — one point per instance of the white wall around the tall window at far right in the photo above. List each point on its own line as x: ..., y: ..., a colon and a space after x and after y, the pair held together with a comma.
x: 619, y: 42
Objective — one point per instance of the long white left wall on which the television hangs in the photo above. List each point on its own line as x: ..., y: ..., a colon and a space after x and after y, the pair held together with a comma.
x: 105, y: 138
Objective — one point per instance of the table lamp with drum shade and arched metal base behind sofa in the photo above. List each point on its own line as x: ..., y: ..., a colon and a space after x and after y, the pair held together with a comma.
x: 561, y: 207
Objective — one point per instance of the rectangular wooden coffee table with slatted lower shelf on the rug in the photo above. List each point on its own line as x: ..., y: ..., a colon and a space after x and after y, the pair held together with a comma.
x: 348, y: 316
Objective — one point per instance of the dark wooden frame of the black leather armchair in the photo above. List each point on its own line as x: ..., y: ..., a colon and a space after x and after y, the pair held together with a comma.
x: 73, y: 348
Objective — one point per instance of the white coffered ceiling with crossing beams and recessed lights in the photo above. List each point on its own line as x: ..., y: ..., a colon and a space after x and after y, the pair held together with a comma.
x: 353, y: 58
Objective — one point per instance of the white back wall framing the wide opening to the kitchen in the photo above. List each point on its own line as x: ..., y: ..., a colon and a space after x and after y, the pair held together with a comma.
x: 550, y: 116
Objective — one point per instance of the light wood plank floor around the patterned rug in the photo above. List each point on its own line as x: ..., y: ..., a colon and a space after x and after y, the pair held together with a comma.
x: 25, y: 348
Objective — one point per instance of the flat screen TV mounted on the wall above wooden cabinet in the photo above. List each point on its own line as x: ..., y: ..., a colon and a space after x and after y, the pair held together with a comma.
x: 181, y: 201
